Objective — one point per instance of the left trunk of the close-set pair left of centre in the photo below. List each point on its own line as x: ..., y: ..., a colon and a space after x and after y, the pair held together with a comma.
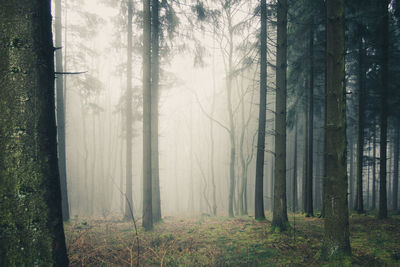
x: 147, y: 219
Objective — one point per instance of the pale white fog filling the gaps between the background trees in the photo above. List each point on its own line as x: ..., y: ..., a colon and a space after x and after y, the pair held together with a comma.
x: 193, y: 77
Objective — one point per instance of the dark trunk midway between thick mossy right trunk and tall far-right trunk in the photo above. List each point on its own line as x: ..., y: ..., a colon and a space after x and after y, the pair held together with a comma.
x: 360, y: 136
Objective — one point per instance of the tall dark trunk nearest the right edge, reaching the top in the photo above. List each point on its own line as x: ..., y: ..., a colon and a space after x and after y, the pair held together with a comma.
x: 383, y: 5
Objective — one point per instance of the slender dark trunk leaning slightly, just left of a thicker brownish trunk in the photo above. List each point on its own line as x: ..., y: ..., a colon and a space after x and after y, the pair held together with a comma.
x: 259, y: 194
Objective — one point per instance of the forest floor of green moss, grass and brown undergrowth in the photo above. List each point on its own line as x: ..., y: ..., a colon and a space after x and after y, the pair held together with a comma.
x: 221, y: 241
